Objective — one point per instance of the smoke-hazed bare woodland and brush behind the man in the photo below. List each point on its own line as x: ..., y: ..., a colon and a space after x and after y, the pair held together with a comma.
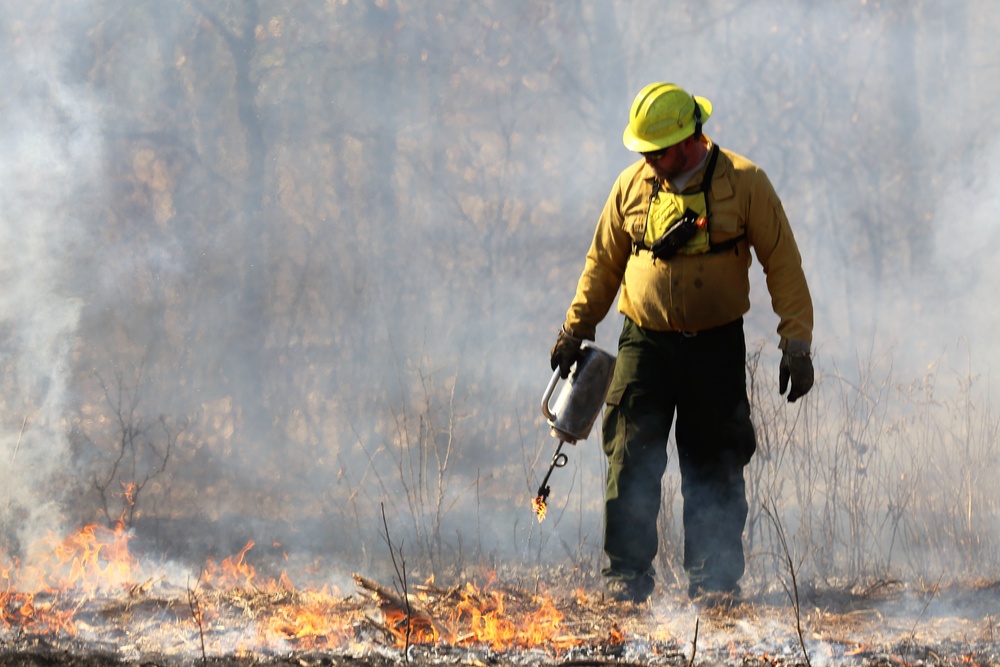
x: 282, y: 264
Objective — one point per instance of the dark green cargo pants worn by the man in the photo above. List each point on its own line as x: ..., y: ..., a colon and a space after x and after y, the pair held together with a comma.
x: 703, y: 379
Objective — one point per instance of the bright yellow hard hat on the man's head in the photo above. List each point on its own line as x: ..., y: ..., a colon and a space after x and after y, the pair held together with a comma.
x: 662, y: 115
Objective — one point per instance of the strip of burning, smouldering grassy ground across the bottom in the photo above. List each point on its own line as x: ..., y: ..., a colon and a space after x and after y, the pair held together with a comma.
x: 93, y: 604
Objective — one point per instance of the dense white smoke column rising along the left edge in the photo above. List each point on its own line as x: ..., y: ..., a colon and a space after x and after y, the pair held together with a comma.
x: 52, y: 148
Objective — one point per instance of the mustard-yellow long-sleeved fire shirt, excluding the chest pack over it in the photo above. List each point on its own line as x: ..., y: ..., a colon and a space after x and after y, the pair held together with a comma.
x: 691, y: 293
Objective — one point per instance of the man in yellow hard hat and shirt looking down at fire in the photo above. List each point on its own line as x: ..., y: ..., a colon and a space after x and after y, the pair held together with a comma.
x: 675, y: 235
